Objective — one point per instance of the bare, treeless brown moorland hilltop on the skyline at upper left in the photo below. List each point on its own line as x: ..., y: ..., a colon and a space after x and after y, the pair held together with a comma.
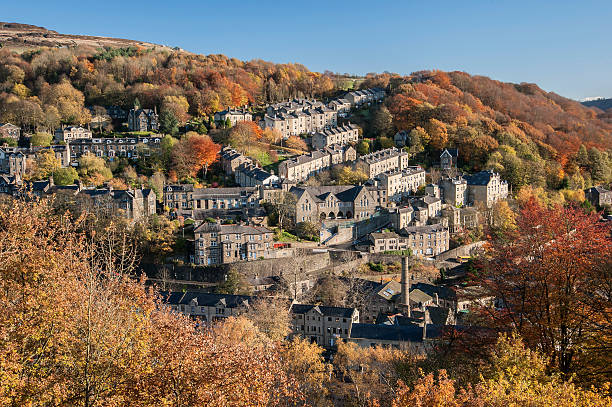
x: 24, y: 36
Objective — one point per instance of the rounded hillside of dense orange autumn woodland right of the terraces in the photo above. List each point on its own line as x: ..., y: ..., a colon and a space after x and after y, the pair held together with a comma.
x: 532, y: 136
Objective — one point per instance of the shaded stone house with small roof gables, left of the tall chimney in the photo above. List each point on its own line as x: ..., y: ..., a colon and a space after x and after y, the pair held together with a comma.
x: 321, y: 324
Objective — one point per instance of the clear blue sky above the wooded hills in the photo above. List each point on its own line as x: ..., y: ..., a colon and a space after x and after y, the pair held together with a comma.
x: 563, y: 46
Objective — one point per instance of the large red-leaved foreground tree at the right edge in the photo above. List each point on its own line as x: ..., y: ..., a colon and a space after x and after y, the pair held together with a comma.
x: 550, y: 279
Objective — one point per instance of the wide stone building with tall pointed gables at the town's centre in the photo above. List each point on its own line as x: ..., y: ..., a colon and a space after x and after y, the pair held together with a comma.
x: 315, y: 204
